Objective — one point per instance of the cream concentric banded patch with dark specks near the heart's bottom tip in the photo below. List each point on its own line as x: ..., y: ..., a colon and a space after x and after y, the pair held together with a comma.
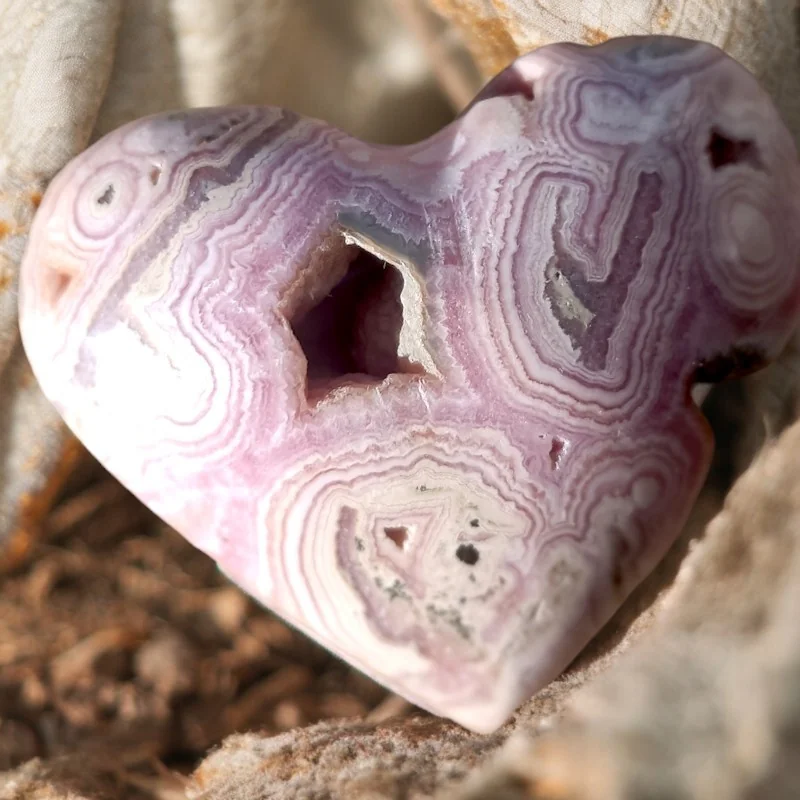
x: 438, y: 489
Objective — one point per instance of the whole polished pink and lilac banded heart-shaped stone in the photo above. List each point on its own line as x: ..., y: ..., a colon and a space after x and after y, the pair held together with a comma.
x: 430, y: 403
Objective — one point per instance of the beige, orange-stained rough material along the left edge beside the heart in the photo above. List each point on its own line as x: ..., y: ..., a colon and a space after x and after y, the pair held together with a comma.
x: 55, y: 63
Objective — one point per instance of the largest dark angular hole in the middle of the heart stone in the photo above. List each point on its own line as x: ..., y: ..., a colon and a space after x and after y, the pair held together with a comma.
x: 351, y: 335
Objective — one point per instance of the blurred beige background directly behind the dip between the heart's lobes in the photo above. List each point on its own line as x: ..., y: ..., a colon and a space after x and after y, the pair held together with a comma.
x: 348, y: 62
